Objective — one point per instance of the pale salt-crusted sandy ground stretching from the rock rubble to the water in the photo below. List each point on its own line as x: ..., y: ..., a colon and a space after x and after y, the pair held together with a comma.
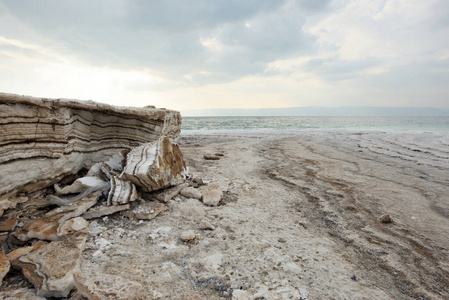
x: 299, y: 220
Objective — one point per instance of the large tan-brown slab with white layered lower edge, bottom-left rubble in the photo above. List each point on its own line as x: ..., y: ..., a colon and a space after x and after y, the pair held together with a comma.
x: 51, y: 267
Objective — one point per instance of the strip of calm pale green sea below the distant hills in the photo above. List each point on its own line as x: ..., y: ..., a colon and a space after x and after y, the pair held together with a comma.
x: 398, y: 124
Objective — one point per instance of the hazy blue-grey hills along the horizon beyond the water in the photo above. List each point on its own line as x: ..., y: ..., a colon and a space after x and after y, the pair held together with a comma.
x: 348, y: 111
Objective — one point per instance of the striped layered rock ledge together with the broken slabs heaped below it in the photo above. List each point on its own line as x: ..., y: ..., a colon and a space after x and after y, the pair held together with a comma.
x: 43, y: 232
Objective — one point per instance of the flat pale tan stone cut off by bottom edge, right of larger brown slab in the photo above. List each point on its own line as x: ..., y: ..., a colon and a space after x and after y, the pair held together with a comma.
x: 105, y: 286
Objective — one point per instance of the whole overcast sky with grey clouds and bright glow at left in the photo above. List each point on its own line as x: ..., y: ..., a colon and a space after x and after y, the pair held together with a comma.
x: 228, y: 53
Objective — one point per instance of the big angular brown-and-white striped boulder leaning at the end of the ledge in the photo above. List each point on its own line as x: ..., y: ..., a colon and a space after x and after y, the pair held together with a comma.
x: 156, y: 165
